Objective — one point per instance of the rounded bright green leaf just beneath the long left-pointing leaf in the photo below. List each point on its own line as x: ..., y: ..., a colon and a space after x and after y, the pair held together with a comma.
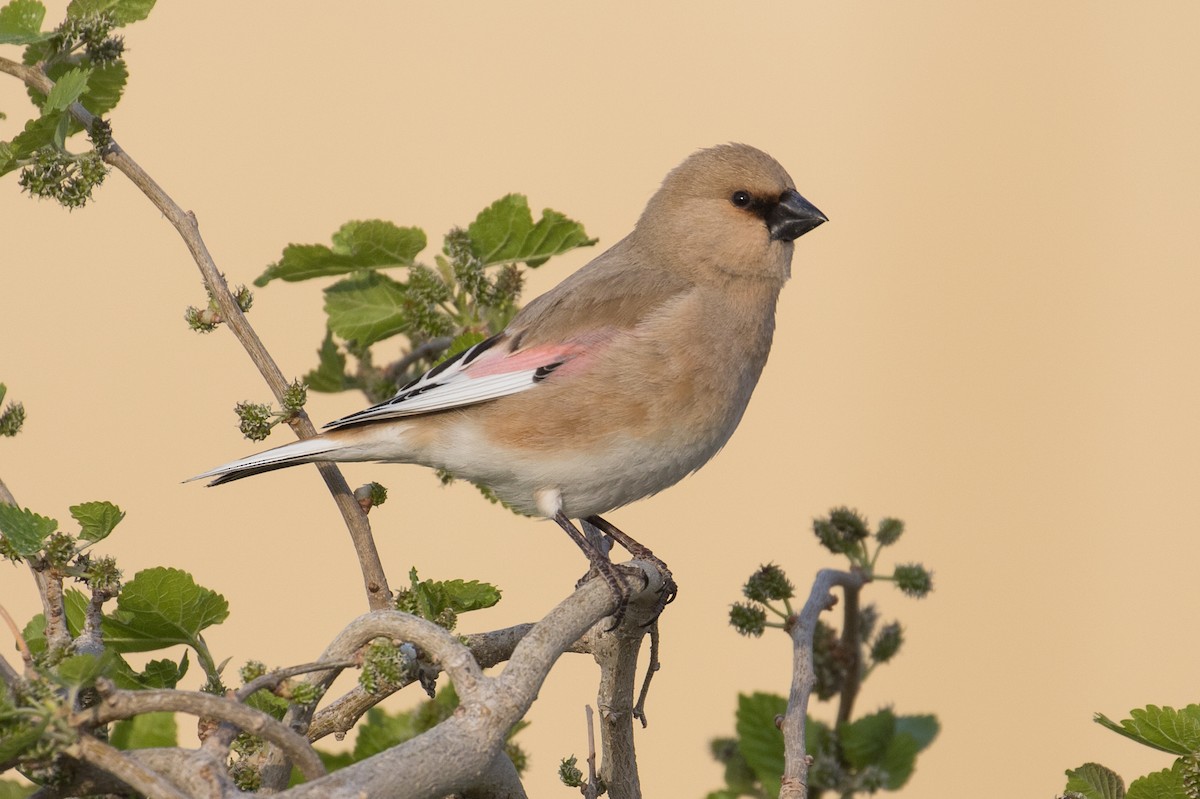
x: 368, y: 308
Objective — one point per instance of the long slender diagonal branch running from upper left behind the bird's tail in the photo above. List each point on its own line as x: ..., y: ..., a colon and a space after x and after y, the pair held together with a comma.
x: 375, y: 581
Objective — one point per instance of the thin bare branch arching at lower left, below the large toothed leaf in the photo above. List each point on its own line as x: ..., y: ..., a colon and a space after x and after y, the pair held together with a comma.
x: 118, y: 705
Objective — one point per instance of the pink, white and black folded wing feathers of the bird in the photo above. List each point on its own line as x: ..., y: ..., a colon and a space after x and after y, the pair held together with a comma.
x: 490, y: 370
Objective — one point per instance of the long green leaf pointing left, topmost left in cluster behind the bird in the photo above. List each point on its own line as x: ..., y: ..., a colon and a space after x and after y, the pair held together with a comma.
x: 374, y: 244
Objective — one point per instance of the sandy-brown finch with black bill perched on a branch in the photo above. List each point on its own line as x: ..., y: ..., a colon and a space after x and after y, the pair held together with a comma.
x: 627, y: 377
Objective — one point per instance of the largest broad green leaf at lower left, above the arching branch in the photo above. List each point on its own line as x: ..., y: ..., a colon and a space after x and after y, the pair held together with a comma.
x: 163, y: 608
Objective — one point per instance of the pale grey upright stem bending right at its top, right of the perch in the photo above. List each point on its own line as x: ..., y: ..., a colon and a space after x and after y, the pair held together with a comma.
x: 796, y: 760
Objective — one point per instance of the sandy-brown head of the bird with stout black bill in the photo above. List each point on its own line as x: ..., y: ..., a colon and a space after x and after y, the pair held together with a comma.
x: 731, y: 211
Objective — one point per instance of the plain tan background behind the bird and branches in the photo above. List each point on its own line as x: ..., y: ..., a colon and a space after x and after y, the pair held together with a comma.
x: 994, y: 338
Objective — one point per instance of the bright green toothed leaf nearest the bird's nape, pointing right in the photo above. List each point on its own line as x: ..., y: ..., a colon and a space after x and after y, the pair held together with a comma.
x: 506, y: 233
